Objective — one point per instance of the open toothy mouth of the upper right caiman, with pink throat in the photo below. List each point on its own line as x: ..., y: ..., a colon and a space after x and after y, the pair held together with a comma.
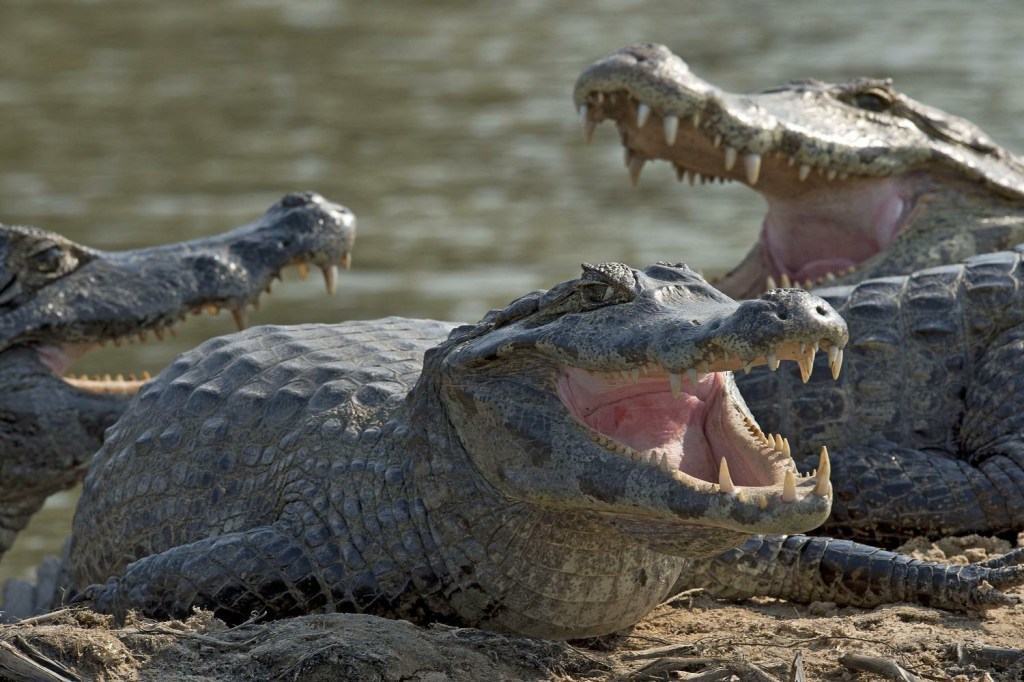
x: 822, y: 223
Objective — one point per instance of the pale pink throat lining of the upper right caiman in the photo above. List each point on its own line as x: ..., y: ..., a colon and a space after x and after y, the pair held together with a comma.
x: 830, y: 230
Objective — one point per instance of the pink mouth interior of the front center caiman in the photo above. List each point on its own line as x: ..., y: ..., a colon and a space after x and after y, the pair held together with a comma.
x: 646, y: 416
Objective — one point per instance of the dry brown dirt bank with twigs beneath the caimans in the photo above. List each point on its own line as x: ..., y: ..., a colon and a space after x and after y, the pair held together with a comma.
x: 690, y: 638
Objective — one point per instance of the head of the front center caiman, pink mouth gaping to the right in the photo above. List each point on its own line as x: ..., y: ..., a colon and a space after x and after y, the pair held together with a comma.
x: 613, y: 395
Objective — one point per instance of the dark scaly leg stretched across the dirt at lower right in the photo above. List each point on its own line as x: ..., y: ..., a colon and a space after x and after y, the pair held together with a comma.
x: 803, y: 569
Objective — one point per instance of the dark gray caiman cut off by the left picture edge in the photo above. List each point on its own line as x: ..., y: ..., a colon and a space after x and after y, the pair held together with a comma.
x: 60, y: 300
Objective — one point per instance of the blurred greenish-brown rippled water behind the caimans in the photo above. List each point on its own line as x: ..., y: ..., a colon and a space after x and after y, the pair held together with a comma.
x: 447, y: 126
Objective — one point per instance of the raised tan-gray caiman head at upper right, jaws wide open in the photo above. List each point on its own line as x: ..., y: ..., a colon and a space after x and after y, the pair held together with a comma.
x: 861, y: 181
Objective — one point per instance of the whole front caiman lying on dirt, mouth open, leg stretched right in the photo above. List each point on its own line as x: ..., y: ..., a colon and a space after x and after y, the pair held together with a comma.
x: 553, y: 471
